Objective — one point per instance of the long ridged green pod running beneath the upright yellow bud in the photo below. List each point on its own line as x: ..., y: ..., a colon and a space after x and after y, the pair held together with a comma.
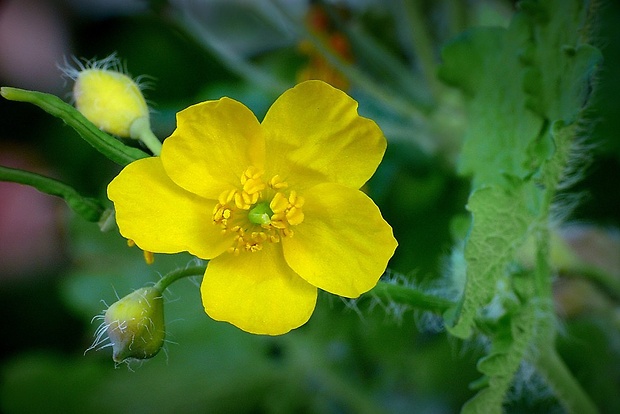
x: 102, y: 142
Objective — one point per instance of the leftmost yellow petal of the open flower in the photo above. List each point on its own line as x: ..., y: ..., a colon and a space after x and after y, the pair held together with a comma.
x: 160, y: 216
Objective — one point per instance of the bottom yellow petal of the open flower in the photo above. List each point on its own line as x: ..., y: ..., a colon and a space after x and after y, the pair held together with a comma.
x: 257, y: 292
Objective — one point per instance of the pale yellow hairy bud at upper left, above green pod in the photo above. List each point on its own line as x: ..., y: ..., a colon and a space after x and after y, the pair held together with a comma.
x: 109, y: 99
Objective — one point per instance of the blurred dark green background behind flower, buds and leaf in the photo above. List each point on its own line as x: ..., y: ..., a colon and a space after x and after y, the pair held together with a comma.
x: 57, y: 271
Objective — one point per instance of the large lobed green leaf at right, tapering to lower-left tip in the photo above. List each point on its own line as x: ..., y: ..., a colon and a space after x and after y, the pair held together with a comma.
x: 514, y: 158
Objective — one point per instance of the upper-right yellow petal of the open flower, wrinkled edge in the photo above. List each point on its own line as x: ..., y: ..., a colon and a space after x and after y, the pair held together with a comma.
x: 314, y: 134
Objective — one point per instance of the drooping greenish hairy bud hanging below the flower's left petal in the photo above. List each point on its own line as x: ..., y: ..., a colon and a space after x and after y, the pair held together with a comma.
x: 135, y: 325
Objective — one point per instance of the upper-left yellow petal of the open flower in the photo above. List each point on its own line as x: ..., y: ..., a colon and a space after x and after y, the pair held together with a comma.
x: 214, y: 143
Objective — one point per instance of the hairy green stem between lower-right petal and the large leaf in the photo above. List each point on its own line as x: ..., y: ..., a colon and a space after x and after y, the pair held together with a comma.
x: 410, y: 296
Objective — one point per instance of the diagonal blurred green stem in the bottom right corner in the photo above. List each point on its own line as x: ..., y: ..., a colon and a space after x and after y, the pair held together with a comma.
x: 568, y: 391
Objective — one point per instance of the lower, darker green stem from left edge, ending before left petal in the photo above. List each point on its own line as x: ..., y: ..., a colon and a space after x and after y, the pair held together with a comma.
x: 89, y: 208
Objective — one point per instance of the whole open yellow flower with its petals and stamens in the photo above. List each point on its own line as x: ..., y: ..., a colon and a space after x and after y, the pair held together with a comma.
x: 275, y: 205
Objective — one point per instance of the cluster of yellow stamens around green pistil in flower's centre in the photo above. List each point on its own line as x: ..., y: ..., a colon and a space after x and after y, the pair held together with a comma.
x: 258, y: 211
